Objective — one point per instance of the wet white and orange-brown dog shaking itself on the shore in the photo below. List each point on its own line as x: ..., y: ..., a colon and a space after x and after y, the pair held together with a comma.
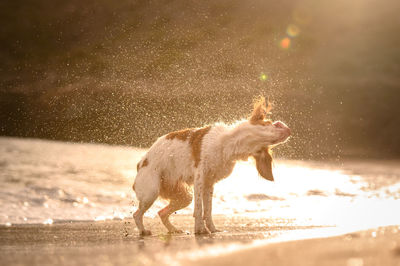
x: 201, y: 157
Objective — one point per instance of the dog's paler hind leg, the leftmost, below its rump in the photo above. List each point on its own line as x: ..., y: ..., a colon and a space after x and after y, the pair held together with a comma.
x: 147, y: 187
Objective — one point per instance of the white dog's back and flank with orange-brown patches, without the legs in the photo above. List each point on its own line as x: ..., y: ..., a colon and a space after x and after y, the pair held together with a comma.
x: 171, y: 160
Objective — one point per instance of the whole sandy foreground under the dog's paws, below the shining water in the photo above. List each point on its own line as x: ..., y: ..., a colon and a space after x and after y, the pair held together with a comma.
x: 243, y: 240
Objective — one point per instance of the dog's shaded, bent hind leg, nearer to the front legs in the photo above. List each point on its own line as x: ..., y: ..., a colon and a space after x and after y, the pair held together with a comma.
x: 180, y: 198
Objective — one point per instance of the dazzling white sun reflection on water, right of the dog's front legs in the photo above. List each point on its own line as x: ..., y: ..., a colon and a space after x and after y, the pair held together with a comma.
x: 318, y: 196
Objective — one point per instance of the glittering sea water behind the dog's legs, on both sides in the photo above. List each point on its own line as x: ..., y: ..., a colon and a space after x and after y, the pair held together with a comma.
x: 49, y: 181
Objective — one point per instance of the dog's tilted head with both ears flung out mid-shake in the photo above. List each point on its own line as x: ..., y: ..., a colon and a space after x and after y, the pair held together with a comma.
x: 268, y: 134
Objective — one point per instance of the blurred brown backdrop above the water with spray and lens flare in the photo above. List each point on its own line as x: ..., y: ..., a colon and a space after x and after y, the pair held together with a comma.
x: 125, y: 72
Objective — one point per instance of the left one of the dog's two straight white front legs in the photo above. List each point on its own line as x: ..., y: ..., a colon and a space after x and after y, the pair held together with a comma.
x: 199, y: 227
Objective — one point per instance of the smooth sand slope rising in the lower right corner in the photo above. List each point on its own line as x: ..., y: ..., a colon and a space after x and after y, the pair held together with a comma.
x: 379, y: 246
